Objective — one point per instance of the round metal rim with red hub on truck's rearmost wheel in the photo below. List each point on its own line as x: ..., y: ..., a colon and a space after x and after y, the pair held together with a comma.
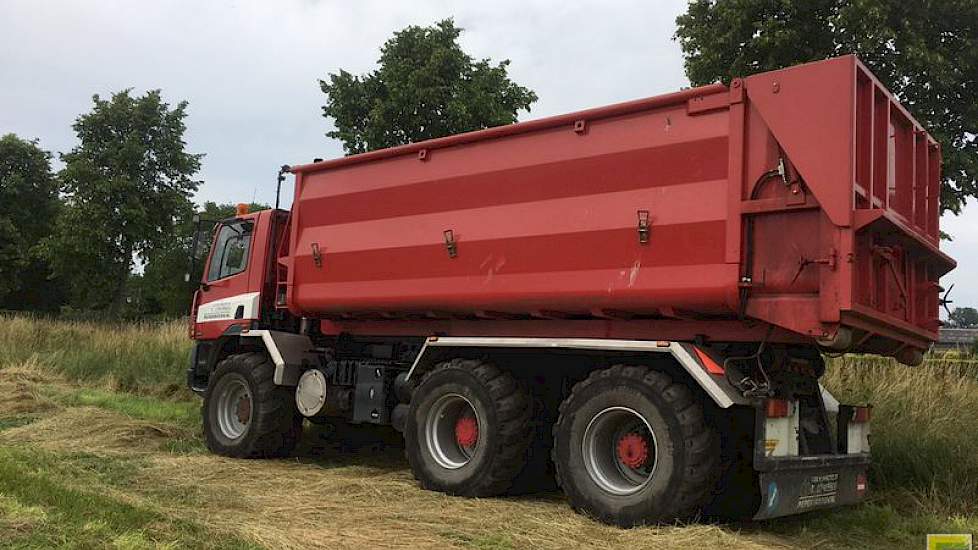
x: 620, y: 451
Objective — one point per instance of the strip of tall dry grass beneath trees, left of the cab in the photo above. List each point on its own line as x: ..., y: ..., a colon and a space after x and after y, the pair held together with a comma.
x: 146, y: 358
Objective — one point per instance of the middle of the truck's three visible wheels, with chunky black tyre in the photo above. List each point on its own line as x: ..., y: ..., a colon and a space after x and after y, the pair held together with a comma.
x: 502, y: 411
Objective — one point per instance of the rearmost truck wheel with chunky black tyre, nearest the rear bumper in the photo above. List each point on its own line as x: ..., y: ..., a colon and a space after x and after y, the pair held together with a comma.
x: 674, y: 475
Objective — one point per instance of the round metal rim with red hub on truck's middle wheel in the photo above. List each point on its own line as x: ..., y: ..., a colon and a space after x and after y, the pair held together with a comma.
x: 453, y: 431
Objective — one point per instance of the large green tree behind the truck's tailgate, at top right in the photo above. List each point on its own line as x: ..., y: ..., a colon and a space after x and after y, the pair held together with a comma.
x: 926, y: 52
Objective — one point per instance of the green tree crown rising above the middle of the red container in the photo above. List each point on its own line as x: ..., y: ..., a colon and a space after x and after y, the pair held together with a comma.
x: 425, y: 87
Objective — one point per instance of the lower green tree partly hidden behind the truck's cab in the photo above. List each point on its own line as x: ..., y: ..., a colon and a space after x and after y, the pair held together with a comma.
x: 161, y: 287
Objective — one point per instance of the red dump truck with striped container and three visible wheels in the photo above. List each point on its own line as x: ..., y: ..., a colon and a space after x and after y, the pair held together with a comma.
x: 633, y: 300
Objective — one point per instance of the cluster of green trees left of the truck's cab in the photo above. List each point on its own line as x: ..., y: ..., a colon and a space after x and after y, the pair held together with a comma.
x: 111, y: 231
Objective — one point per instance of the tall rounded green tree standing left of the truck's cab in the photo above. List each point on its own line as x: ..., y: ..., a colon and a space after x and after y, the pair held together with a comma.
x: 125, y: 185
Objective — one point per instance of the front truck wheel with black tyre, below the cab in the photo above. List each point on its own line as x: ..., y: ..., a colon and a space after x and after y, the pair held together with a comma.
x: 268, y: 424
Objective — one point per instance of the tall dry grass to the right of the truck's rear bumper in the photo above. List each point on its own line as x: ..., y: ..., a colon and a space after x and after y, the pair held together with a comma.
x: 924, y: 426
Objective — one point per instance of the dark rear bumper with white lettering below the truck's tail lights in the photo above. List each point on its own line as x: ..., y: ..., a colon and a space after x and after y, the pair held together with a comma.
x: 802, y: 484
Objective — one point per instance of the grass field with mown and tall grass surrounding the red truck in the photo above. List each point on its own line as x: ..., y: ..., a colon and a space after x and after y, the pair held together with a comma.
x: 100, y: 447
